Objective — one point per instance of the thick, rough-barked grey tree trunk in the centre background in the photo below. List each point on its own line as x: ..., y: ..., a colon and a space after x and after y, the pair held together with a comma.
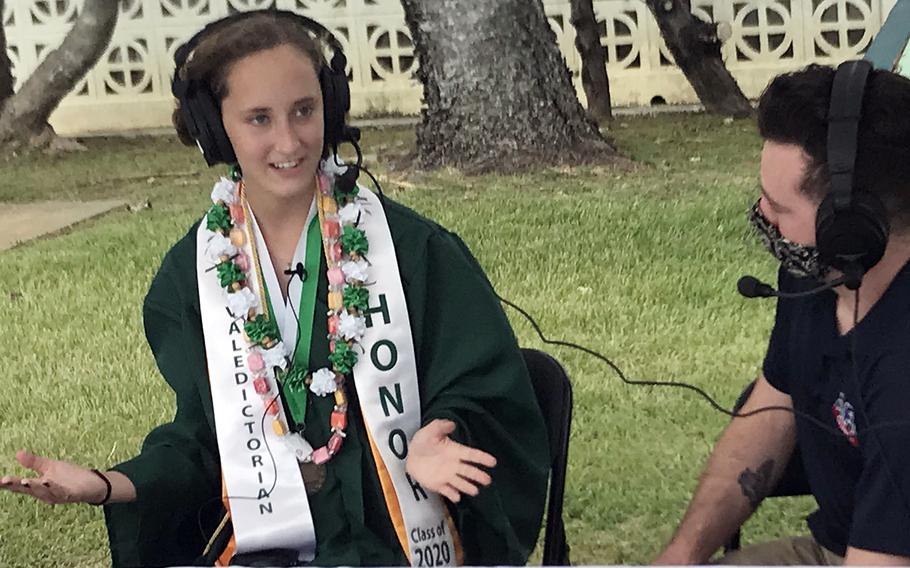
x: 497, y: 93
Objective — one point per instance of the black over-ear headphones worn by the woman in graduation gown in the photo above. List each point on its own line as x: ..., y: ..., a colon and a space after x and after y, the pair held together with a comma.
x: 202, y: 113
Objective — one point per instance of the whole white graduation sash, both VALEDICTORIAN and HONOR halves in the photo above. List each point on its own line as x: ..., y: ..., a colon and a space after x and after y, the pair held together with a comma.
x: 267, y: 499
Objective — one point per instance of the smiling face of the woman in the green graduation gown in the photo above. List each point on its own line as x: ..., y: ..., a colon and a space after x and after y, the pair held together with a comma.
x: 273, y: 116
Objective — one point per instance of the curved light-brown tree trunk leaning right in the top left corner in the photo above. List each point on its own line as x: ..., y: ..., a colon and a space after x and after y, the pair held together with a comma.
x: 23, y: 118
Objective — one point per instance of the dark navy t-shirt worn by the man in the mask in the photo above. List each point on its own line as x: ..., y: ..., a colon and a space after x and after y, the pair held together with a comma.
x: 860, y: 478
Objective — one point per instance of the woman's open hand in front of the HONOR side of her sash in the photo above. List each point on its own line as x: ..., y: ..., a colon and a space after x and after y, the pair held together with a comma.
x: 444, y: 466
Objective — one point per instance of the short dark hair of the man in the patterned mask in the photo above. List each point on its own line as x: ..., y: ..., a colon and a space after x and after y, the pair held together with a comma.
x: 793, y: 110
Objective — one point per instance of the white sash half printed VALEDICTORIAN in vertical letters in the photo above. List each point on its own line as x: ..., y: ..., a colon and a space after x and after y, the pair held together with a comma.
x: 268, y: 503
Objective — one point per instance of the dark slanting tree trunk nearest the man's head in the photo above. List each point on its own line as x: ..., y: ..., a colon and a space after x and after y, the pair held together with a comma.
x: 696, y: 49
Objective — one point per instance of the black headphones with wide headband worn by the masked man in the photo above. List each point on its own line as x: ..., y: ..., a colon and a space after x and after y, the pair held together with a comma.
x: 851, y: 226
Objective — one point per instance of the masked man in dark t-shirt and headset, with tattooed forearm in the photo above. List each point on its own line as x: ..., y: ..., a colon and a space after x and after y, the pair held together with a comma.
x: 835, y: 211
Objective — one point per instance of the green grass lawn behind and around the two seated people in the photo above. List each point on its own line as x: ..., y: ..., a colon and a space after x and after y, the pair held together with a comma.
x: 640, y: 265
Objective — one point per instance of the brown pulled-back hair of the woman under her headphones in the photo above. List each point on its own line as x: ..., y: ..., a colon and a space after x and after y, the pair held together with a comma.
x: 212, y: 59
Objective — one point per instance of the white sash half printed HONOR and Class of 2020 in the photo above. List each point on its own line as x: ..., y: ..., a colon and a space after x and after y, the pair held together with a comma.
x: 386, y: 380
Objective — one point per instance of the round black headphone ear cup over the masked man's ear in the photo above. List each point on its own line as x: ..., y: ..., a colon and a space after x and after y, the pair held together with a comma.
x: 858, y: 233
